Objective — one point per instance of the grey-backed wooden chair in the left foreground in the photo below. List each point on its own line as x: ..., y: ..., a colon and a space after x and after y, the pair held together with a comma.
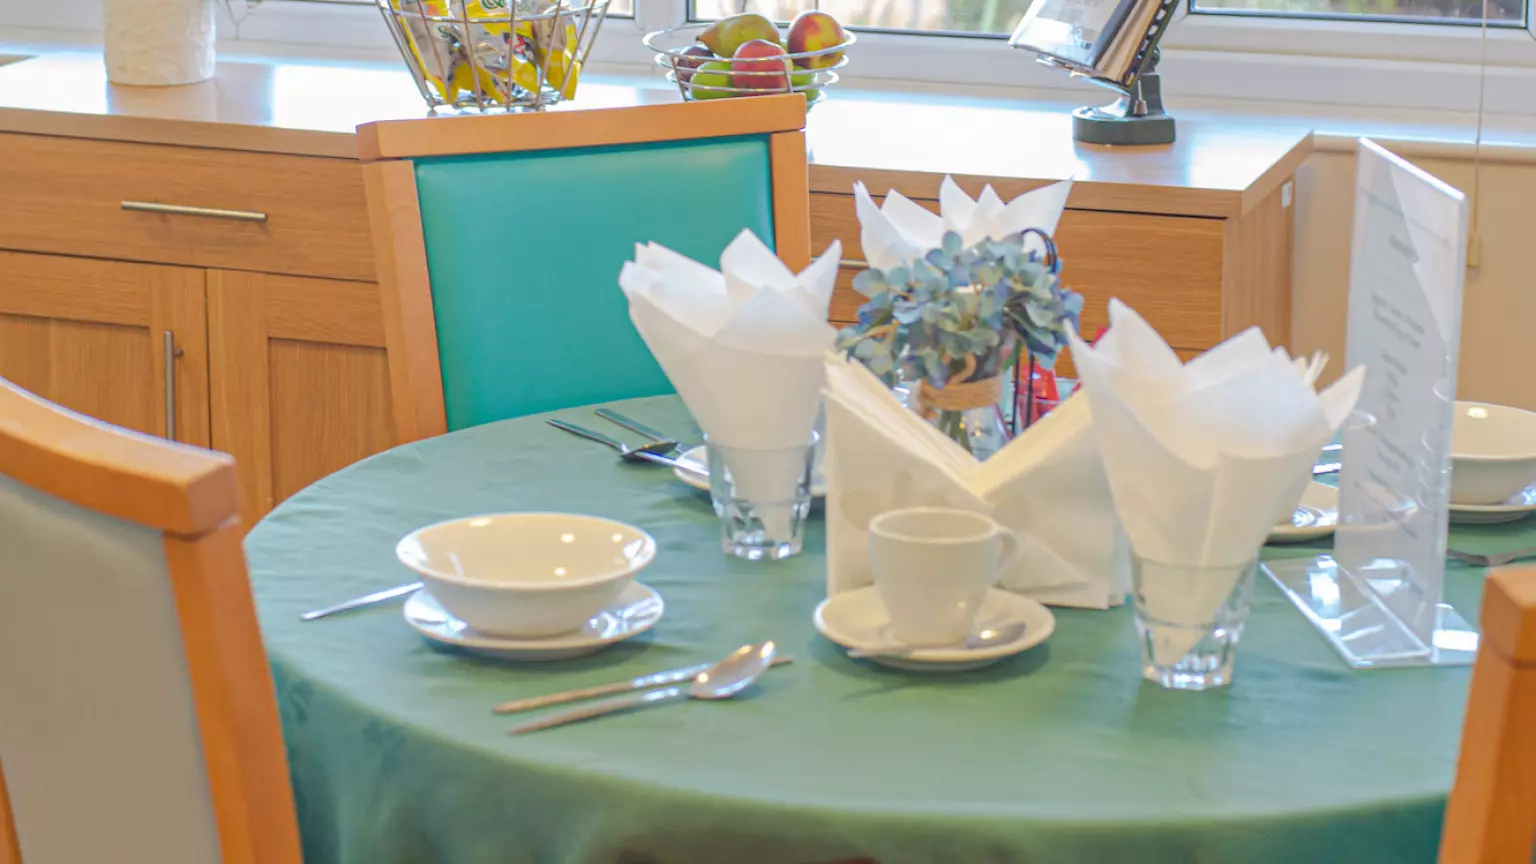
x: 137, y: 720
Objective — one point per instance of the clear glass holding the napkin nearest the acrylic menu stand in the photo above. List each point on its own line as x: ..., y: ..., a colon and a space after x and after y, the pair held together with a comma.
x: 1190, y: 620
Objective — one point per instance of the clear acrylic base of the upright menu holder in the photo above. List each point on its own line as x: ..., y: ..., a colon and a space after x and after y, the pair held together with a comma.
x: 1360, y: 626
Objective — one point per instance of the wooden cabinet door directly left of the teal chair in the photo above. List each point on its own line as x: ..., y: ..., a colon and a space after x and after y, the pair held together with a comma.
x: 299, y: 380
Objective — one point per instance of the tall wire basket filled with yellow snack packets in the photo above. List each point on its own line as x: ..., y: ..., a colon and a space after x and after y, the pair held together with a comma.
x: 495, y: 55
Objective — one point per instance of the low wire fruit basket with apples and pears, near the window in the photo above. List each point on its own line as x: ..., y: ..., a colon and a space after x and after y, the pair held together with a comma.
x: 704, y: 76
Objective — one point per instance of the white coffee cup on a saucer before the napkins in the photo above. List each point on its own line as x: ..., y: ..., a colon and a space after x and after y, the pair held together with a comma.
x: 933, y: 568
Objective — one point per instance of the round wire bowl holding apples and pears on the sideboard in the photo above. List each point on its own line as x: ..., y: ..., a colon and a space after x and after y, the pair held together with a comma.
x: 674, y: 42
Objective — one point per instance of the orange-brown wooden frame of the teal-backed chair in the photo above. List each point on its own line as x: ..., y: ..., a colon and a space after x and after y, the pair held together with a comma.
x: 389, y: 176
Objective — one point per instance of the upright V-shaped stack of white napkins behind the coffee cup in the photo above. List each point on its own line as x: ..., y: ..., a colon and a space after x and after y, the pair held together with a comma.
x: 1048, y: 485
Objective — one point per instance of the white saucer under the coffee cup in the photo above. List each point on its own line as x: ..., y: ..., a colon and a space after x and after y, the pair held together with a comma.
x: 858, y: 620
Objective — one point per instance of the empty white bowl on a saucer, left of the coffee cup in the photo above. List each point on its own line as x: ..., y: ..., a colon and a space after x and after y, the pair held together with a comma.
x: 528, y: 574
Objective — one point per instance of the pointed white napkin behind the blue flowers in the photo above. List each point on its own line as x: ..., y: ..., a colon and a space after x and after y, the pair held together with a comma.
x: 901, y: 231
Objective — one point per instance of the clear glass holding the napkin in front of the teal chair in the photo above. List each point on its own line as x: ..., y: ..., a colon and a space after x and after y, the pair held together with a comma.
x: 763, y: 499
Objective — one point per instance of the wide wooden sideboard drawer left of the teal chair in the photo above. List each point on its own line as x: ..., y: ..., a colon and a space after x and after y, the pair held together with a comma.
x: 67, y: 196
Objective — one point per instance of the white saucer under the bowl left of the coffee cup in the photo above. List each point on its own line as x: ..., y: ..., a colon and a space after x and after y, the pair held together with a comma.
x: 637, y: 611
